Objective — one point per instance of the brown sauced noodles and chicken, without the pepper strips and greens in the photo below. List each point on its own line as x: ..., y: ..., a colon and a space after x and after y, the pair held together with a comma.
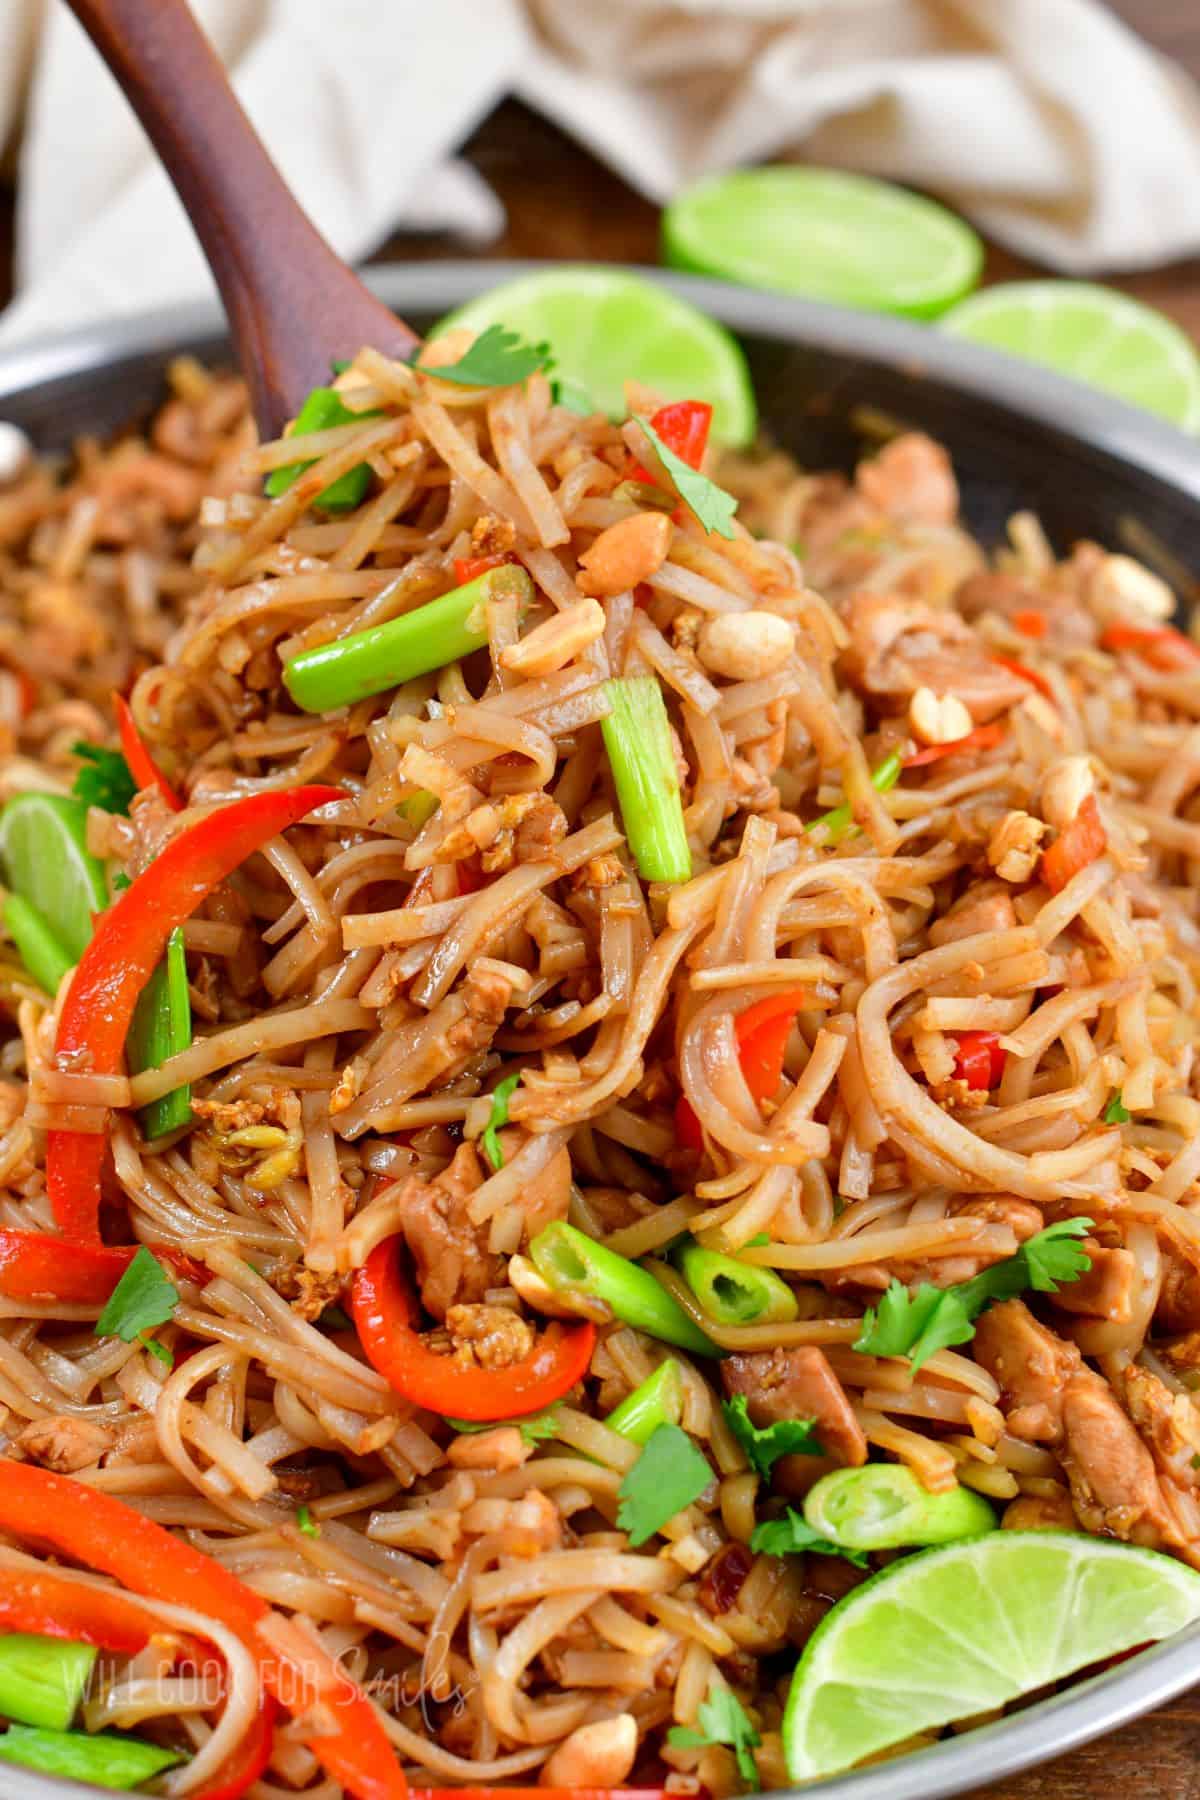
x: 364, y: 985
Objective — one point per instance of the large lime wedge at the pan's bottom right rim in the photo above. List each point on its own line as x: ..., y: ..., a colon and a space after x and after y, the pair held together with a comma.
x: 967, y: 1628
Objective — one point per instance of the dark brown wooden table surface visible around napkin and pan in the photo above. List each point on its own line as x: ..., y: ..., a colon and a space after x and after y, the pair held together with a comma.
x: 564, y: 204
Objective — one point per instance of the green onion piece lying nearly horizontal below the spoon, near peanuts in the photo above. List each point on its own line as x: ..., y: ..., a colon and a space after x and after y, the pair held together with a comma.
x: 352, y: 669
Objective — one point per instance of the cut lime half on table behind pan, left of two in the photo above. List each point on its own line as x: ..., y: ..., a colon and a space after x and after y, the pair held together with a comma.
x: 827, y: 235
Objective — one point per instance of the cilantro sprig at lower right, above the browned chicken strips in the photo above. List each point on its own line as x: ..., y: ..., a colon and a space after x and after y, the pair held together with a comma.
x: 935, y: 1318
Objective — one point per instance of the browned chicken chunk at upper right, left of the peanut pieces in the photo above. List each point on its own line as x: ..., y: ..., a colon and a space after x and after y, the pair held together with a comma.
x: 900, y: 645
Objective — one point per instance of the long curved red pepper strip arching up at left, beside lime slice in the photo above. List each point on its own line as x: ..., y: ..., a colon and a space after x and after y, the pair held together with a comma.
x: 123, y: 953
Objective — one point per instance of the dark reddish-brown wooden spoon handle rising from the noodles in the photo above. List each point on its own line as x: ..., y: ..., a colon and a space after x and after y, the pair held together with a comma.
x: 292, y: 305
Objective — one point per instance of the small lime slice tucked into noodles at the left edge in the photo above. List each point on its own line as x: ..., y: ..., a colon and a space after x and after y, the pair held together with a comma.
x: 49, y: 865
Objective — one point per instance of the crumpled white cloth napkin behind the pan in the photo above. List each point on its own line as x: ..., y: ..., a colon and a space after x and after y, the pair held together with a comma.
x: 1046, y: 121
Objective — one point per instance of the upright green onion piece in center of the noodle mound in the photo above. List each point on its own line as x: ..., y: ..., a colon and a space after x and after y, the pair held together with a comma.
x: 638, y: 737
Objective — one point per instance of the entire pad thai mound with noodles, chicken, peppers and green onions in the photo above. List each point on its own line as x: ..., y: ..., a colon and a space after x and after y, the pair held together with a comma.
x: 562, y: 989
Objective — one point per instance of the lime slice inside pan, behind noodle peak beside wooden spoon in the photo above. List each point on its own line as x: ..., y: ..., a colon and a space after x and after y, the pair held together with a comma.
x: 609, y: 328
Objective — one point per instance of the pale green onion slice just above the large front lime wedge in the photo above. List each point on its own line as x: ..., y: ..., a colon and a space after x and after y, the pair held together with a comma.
x: 884, y: 1507
